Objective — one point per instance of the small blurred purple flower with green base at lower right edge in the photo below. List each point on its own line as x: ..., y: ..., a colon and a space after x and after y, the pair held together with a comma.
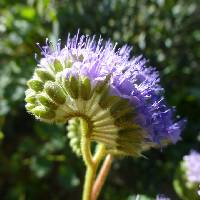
x: 187, y: 179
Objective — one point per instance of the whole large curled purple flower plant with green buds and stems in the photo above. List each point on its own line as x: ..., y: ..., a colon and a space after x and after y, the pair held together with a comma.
x: 106, y: 97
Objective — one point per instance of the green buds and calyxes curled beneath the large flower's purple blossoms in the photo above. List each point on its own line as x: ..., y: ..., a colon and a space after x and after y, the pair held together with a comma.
x: 52, y: 97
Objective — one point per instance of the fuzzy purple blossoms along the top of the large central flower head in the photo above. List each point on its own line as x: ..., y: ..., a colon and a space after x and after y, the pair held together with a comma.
x: 130, y: 78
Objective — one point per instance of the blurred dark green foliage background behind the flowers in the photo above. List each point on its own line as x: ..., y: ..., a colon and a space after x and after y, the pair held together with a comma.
x: 35, y: 159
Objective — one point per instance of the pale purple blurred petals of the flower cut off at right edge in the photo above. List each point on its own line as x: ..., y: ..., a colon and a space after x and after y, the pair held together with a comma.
x: 192, y: 165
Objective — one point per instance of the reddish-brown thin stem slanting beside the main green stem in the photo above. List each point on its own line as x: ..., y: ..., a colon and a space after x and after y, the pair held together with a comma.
x: 101, y: 177
